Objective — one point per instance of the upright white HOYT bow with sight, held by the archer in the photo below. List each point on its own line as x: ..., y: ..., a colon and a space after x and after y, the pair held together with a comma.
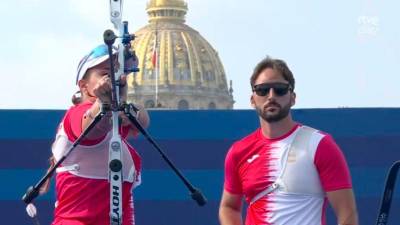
x: 115, y: 153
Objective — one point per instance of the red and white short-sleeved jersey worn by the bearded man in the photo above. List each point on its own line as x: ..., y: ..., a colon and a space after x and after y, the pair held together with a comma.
x: 305, y: 174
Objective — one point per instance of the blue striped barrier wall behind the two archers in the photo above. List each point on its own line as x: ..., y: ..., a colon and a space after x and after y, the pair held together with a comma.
x: 197, y: 142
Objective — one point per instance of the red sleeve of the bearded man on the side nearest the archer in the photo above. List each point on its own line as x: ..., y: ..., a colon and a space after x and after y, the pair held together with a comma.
x: 232, y: 182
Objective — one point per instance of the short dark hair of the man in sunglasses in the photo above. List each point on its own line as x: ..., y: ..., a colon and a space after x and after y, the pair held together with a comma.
x: 275, y: 64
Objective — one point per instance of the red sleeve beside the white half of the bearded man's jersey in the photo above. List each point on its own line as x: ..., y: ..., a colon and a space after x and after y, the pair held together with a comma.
x: 331, y: 165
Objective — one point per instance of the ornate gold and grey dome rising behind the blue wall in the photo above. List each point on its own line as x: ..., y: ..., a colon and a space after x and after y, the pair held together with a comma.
x: 179, y: 69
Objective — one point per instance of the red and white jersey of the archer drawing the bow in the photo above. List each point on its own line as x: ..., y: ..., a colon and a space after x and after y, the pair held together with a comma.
x: 82, y: 185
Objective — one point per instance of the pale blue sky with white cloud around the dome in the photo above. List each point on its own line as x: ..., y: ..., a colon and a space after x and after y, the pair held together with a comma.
x: 342, y: 53
